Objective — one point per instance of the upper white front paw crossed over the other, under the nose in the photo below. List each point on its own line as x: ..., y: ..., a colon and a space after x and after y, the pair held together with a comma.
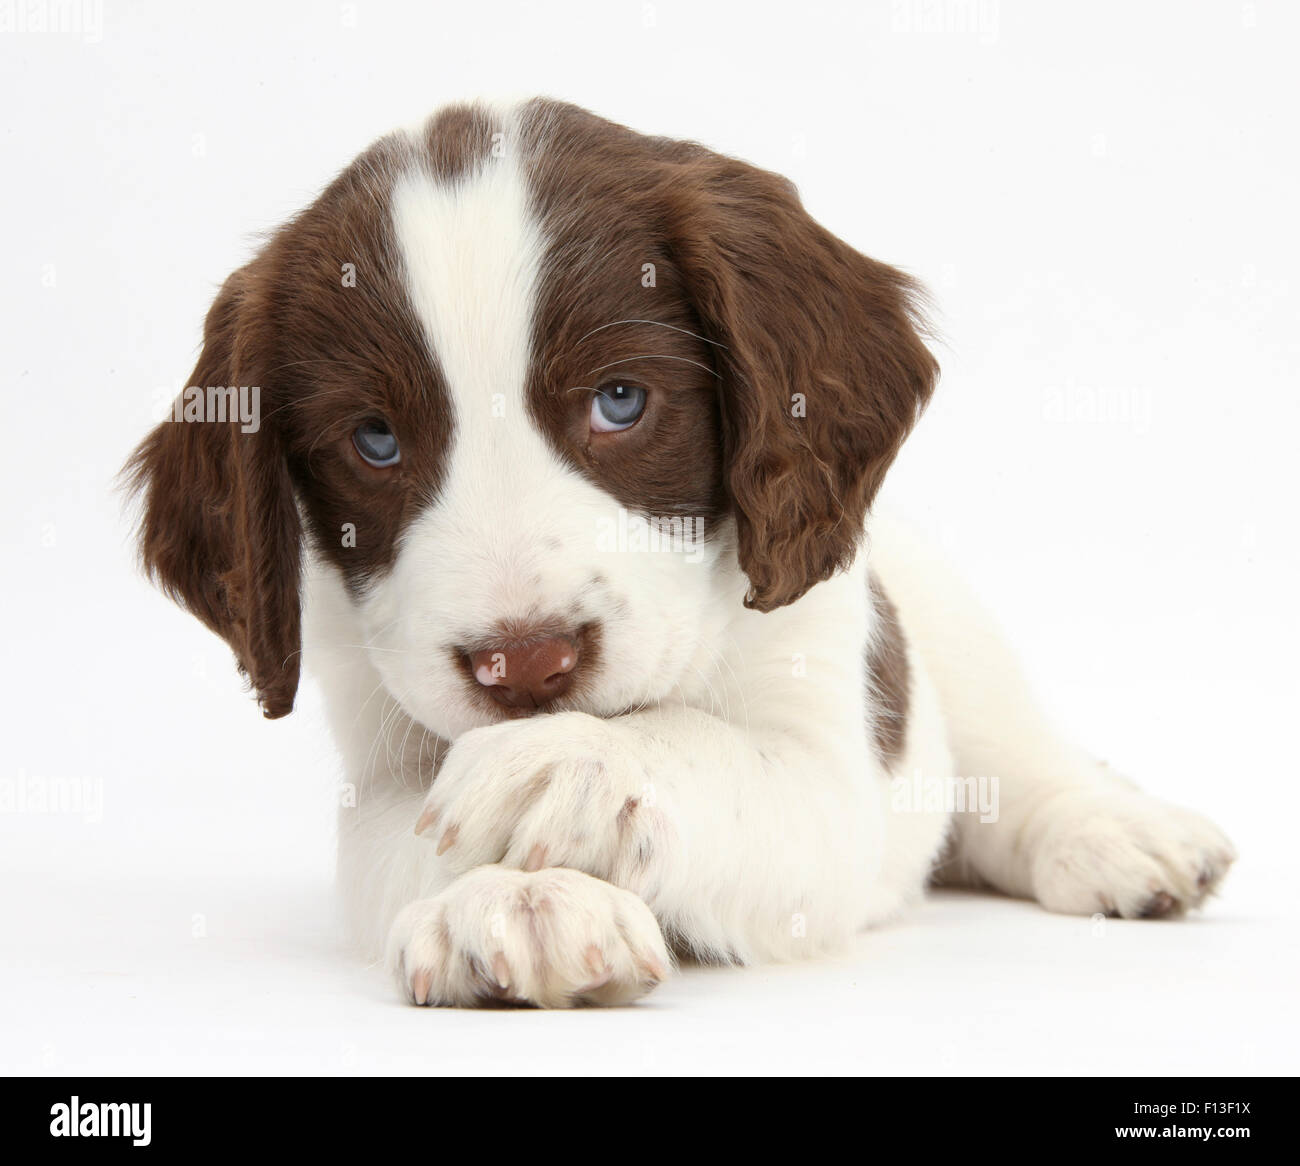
x: 554, y: 791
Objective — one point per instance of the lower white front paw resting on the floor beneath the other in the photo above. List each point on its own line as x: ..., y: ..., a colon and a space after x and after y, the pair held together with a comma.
x: 552, y: 939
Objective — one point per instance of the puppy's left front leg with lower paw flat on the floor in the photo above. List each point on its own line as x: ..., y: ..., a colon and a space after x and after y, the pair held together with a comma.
x: 552, y: 939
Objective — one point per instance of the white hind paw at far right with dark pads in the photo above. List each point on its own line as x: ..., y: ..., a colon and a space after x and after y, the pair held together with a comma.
x: 1128, y: 855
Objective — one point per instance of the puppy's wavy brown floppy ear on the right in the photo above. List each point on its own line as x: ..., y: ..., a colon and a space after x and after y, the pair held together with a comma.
x: 824, y: 370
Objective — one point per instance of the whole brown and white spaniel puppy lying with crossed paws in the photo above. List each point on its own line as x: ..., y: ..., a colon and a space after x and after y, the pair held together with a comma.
x: 560, y: 478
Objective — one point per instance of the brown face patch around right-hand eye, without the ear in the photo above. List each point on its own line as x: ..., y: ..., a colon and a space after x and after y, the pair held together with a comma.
x: 614, y: 309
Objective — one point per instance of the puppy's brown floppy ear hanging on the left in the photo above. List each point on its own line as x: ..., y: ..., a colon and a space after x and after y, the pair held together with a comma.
x: 220, y: 530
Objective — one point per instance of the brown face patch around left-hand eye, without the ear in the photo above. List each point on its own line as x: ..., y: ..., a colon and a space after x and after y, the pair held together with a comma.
x: 340, y: 356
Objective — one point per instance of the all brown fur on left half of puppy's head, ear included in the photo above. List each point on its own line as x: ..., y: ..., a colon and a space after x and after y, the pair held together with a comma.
x: 322, y: 324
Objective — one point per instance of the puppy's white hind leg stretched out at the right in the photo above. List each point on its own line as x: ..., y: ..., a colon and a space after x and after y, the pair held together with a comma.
x: 1069, y: 833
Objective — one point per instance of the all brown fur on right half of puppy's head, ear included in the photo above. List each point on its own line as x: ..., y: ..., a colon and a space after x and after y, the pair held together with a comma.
x: 785, y: 369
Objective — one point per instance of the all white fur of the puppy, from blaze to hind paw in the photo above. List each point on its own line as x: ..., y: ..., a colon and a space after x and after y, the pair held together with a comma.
x: 742, y: 801
